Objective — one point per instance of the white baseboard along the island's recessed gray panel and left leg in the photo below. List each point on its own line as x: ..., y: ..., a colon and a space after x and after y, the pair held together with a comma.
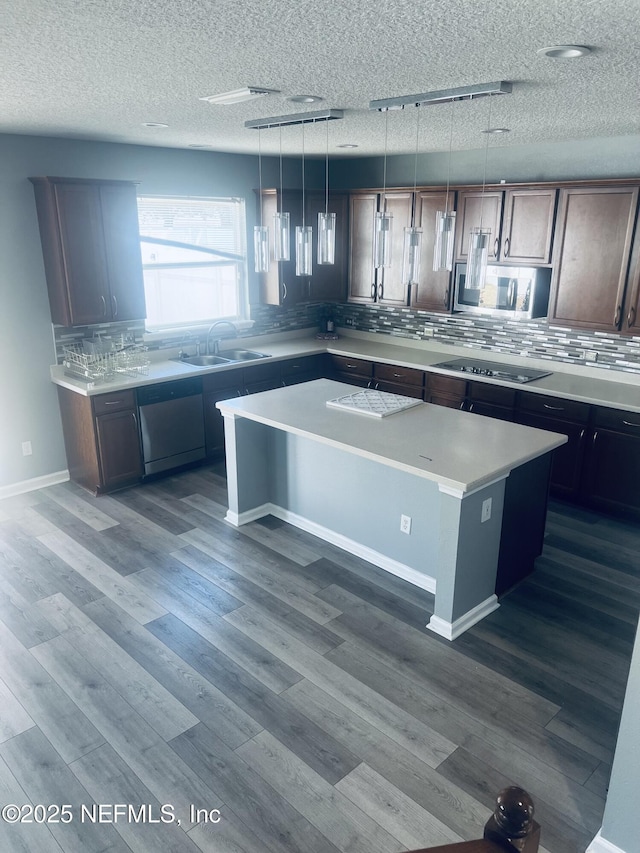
x: 394, y: 567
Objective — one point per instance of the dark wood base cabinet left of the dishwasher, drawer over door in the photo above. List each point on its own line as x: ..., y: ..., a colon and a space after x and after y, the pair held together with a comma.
x: 102, y: 440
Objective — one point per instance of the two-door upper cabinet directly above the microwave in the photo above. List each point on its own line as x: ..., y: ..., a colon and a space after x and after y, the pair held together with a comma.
x: 521, y: 222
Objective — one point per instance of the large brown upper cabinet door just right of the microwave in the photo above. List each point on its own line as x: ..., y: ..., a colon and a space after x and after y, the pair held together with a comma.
x: 591, y: 256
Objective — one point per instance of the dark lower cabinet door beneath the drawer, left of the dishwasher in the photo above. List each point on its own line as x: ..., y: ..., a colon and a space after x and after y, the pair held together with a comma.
x: 118, y: 449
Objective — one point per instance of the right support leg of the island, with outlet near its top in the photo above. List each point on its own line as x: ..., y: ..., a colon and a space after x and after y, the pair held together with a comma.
x: 468, y: 559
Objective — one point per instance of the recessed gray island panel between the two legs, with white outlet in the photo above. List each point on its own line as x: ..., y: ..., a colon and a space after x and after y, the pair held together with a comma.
x: 361, y: 500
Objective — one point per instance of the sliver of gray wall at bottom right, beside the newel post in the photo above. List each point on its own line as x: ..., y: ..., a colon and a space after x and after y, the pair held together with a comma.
x: 621, y: 823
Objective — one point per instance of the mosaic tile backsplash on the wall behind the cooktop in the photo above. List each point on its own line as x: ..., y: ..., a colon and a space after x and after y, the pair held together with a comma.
x: 536, y: 339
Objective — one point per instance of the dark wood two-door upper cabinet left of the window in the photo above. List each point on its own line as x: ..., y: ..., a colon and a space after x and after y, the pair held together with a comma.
x: 91, y: 247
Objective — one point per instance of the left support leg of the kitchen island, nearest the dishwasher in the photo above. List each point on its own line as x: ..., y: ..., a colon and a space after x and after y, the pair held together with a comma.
x: 249, y: 474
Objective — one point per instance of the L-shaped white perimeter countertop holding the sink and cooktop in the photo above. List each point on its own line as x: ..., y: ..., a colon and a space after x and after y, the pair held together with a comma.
x: 614, y: 389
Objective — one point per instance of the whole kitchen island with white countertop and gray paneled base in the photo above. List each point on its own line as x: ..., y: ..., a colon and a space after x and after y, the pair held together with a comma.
x: 474, y: 489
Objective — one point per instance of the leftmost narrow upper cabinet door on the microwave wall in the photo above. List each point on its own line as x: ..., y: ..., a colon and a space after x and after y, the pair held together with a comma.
x: 362, y: 274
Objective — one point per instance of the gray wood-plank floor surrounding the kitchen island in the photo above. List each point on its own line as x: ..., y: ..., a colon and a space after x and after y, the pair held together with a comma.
x: 151, y: 655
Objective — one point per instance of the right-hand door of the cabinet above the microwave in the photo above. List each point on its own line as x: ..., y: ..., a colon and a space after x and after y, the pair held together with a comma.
x: 528, y: 226
